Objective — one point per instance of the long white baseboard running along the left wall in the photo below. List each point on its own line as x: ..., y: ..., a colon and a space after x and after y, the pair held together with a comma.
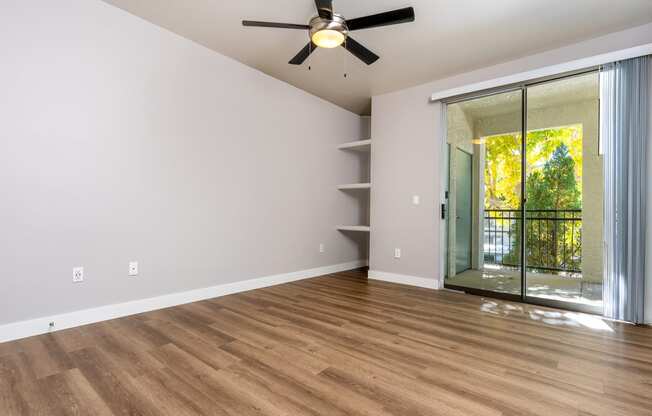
x: 23, y: 329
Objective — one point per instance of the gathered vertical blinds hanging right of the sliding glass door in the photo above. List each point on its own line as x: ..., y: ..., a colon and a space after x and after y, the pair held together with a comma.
x: 624, y: 117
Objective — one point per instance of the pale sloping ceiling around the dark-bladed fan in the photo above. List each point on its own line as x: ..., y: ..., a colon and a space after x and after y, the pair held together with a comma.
x: 448, y: 37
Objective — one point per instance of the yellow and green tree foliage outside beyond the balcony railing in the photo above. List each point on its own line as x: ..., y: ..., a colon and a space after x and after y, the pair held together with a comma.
x: 554, y: 174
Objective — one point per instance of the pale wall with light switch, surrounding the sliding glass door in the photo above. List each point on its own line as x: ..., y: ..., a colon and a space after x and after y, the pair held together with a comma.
x: 406, y: 158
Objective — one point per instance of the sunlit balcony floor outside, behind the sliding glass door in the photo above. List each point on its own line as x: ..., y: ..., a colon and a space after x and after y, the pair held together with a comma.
x: 543, y: 285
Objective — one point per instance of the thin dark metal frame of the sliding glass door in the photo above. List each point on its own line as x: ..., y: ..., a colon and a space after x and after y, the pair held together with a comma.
x: 523, y: 87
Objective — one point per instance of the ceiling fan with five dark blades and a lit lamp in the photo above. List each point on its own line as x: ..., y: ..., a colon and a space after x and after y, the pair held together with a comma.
x: 330, y: 30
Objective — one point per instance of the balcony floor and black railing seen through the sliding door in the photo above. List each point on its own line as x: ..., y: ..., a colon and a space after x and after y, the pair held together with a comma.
x: 554, y: 257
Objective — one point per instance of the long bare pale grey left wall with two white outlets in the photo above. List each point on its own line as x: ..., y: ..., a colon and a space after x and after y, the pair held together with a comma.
x: 121, y: 141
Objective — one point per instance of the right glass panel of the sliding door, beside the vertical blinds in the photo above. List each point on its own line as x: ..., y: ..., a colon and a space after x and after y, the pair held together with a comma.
x: 564, y: 192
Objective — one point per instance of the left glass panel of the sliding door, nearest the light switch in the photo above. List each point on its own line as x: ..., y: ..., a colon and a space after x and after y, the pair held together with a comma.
x: 484, y: 170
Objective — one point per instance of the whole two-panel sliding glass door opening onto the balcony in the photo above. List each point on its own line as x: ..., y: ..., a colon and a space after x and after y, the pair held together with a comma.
x: 542, y: 189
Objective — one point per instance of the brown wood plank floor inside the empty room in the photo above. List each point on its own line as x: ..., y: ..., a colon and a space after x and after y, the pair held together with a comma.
x: 335, y: 345
